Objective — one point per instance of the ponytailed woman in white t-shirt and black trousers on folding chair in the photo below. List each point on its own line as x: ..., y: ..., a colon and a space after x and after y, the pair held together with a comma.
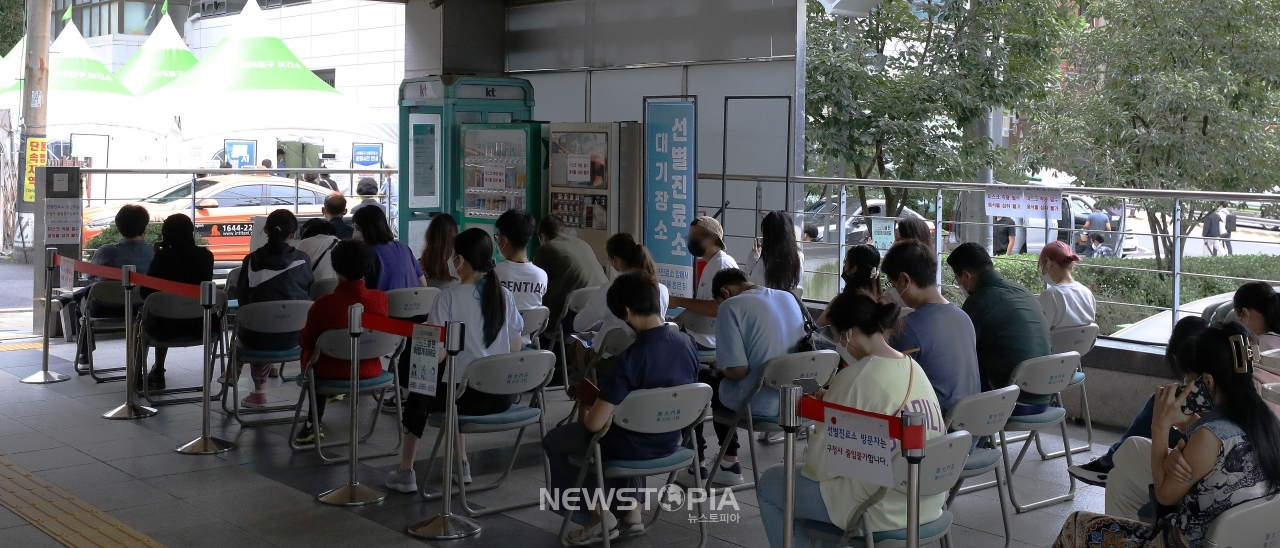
x: 493, y: 328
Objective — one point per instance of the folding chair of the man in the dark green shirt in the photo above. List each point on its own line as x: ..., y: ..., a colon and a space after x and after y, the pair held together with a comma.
x: 1046, y: 376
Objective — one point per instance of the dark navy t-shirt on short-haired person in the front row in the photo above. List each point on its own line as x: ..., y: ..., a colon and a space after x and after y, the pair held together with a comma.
x: 660, y: 358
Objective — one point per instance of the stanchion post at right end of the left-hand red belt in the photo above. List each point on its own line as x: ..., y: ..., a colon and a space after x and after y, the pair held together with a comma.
x: 447, y: 526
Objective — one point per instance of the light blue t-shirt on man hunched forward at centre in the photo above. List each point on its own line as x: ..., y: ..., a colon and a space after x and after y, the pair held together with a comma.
x: 751, y: 330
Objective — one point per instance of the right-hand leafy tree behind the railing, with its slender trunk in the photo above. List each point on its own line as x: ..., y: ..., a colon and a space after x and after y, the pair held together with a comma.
x: 1167, y: 95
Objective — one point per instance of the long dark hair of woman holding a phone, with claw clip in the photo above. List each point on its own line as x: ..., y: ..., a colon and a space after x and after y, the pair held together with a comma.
x: 1223, y: 351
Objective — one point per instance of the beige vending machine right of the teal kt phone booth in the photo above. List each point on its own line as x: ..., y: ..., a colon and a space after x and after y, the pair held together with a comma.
x: 596, y: 180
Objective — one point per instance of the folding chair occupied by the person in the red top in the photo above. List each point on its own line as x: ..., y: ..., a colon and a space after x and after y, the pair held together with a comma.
x: 337, y: 344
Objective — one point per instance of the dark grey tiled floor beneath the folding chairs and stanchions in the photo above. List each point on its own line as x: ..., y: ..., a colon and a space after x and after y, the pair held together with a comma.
x: 263, y: 495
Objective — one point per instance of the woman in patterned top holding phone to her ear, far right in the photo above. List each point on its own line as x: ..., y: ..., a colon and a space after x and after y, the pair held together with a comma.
x: 1232, y: 454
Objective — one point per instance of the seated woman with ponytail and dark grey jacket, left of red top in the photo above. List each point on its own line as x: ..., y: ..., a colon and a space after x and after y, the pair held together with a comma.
x: 276, y: 272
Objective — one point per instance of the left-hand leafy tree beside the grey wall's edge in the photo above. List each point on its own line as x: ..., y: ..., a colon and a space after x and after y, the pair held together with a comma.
x: 892, y: 94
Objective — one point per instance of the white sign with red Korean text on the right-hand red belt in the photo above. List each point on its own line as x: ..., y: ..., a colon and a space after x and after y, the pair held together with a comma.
x: 860, y: 447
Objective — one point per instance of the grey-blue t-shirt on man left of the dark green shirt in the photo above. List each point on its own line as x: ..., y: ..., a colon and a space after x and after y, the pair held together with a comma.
x: 948, y: 350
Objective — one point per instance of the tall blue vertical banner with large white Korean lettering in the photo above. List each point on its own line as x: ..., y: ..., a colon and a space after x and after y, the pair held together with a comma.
x: 669, y: 190
